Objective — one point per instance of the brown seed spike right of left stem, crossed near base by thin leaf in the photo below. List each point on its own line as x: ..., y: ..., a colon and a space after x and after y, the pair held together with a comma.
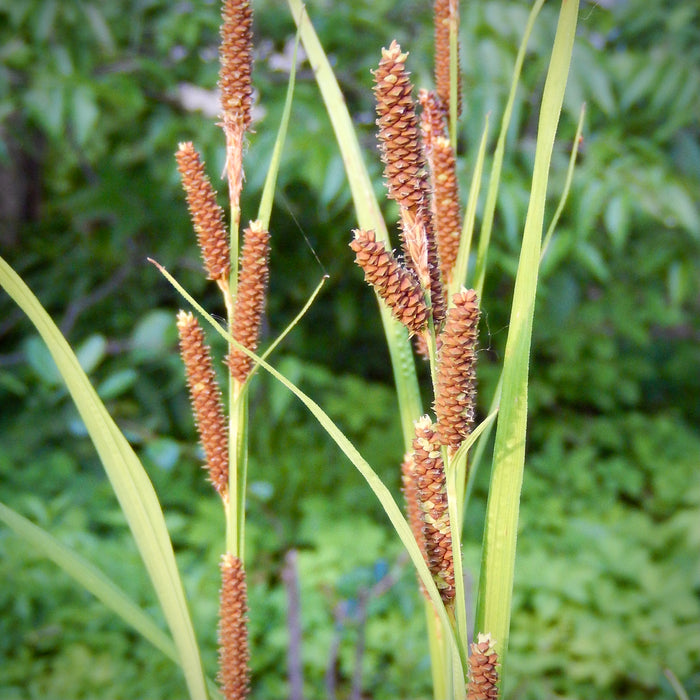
x: 250, y: 298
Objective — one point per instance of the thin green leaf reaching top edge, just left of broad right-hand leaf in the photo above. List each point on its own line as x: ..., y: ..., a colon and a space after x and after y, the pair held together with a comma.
x: 495, y: 179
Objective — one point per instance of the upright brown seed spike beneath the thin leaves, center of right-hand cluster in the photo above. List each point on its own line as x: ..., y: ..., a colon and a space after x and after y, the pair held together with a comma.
x: 456, y: 373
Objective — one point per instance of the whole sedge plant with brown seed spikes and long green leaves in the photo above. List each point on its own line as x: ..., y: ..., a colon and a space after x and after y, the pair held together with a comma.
x: 429, y: 303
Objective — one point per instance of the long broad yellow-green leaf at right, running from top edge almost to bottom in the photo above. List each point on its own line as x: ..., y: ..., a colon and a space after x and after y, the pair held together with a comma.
x: 498, y: 553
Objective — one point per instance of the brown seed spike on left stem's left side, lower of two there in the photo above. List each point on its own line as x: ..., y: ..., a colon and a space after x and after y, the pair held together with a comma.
x: 206, y: 400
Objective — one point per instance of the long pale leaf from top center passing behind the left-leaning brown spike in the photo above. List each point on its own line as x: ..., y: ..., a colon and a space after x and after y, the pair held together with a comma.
x: 368, y: 214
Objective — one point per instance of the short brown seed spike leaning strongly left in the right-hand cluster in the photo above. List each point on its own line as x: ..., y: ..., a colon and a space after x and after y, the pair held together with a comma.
x: 393, y: 283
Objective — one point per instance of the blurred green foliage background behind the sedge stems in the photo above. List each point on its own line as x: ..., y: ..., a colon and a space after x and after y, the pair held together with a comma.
x: 92, y: 106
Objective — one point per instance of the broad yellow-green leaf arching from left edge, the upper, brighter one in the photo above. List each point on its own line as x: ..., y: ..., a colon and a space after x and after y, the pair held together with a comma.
x: 129, y: 480
